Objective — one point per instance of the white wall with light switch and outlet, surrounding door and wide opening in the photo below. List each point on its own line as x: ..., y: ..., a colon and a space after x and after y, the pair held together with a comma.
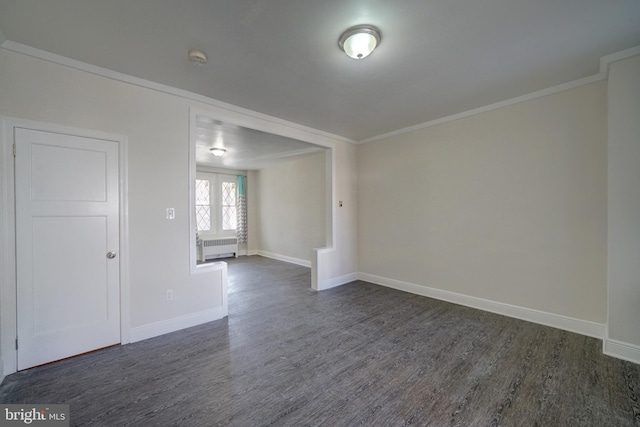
x: 157, y: 127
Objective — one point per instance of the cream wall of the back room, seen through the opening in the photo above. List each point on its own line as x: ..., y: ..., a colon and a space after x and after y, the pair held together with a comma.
x: 291, y: 217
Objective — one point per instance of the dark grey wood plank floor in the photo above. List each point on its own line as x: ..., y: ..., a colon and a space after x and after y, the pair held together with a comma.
x: 359, y: 354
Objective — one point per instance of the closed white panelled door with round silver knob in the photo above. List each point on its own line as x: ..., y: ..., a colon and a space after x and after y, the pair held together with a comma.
x: 67, y: 241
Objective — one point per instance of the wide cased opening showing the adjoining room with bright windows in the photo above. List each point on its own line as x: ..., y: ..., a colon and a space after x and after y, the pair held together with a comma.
x: 287, y: 187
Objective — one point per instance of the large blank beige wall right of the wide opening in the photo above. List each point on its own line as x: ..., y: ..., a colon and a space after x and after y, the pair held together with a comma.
x: 507, y: 206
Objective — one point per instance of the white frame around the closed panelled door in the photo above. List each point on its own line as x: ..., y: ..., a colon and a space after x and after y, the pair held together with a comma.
x: 8, y: 298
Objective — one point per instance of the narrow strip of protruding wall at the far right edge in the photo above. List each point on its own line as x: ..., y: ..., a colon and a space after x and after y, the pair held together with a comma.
x: 624, y: 209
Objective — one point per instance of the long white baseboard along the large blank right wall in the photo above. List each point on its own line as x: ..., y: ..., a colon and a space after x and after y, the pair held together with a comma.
x: 583, y: 327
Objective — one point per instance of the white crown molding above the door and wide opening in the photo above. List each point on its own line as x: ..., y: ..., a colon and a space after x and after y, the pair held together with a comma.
x: 296, y: 128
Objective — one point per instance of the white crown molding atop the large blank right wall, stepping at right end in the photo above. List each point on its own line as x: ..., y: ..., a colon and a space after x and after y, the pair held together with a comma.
x: 602, y: 74
